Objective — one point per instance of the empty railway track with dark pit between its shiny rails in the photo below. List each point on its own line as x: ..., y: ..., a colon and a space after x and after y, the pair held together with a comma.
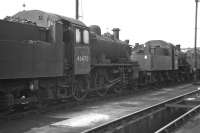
x: 160, y: 118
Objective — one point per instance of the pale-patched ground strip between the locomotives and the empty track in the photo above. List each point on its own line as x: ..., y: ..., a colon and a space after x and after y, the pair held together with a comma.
x: 83, y: 117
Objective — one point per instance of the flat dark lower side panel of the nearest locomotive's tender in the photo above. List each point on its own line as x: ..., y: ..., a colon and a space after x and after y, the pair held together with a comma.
x: 30, y: 60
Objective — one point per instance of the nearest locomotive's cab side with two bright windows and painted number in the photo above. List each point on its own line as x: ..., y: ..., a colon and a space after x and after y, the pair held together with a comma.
x: 77, y: 51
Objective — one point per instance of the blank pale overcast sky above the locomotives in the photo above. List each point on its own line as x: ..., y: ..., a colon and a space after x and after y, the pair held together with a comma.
x: 139, y: 20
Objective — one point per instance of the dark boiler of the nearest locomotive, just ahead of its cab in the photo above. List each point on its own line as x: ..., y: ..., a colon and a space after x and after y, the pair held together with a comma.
x: 108, y: 50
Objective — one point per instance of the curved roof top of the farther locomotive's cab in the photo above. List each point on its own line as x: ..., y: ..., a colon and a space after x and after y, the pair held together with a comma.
x: 158, y: 43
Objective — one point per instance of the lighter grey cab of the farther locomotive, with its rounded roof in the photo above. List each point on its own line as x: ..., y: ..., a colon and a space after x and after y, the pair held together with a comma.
x: 156, y: 55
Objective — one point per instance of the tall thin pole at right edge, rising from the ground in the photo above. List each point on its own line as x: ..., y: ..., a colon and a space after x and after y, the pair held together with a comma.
x: 195, y: 42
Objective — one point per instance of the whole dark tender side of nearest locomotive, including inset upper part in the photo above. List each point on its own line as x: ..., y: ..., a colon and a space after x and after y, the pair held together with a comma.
x: 26, y: 51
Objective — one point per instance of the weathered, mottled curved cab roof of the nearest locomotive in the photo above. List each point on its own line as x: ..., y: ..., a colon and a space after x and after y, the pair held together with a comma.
x: 44, y: 19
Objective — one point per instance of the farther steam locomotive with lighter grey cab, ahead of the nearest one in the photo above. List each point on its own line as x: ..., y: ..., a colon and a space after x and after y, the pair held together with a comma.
x: 161, y: 62
